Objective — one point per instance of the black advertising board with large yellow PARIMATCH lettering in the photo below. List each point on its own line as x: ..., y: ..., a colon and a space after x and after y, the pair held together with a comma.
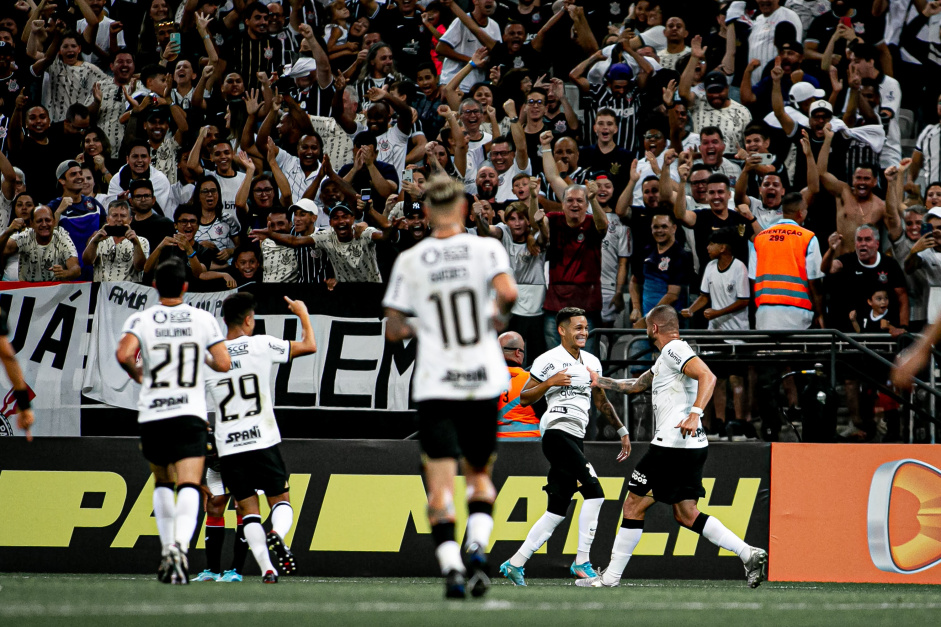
x: 85, y: 505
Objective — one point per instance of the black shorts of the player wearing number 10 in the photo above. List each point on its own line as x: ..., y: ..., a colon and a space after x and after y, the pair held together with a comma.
x: 468, y: 429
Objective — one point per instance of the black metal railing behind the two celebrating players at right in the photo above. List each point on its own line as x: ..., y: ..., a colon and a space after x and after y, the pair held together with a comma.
x: 867, y: 356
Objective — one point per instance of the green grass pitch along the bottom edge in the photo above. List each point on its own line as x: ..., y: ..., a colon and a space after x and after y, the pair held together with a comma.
x: 75, y: 600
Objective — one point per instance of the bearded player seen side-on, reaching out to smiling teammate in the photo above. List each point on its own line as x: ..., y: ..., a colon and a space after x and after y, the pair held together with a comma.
x: 671, y: 471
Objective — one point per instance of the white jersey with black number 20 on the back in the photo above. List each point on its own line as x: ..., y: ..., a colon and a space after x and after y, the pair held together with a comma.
x: 173, y: 344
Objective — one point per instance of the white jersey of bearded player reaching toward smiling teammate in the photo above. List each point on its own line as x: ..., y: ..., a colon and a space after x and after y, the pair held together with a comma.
x: 673, y: 396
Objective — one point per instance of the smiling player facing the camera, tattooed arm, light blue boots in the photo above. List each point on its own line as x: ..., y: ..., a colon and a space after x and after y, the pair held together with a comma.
x: 563, y: 375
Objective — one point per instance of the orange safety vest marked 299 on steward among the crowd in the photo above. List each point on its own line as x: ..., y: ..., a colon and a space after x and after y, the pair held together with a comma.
x: 781, y: 268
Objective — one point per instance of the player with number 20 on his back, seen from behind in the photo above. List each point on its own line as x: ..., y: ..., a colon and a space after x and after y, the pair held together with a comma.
x: 173, y: 339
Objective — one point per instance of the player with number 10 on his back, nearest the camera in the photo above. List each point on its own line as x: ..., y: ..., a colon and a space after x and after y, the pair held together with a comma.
x: 452, y: 285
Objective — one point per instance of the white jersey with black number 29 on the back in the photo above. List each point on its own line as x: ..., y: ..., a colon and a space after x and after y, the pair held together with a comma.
x: 243, y: 396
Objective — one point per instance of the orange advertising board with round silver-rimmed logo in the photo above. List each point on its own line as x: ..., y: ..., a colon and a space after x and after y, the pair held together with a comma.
x: 855, y: 513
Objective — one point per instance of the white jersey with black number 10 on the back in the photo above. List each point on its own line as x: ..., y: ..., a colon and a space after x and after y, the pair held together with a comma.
x: 447, y: 286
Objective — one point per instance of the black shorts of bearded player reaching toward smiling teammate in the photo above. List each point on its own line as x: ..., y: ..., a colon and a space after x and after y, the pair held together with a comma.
x: 671, y: 475
